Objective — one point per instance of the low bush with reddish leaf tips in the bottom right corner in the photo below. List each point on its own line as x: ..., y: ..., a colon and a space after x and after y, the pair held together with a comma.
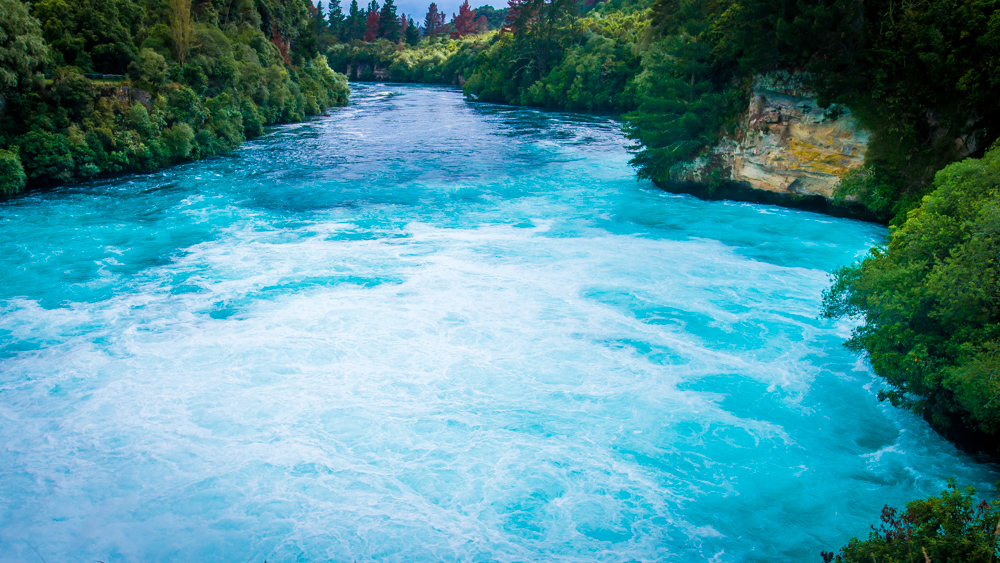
x: 951, y: 528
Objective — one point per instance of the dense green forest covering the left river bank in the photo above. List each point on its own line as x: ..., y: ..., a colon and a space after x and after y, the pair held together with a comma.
x: 91, y: 87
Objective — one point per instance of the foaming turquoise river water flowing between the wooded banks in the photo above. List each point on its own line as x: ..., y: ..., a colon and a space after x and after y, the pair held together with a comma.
x: 422, y: 329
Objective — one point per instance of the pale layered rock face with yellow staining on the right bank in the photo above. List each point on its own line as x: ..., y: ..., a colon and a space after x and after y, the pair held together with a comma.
x: 787, y: 145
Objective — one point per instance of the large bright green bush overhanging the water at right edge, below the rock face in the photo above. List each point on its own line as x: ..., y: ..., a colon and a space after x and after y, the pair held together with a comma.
x: 930, y: 303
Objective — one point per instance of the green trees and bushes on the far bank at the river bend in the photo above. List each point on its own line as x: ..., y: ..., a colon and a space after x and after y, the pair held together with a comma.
x: 556, y: 60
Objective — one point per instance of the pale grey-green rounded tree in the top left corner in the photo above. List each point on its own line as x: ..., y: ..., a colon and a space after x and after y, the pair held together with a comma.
x: 22, y: 48
